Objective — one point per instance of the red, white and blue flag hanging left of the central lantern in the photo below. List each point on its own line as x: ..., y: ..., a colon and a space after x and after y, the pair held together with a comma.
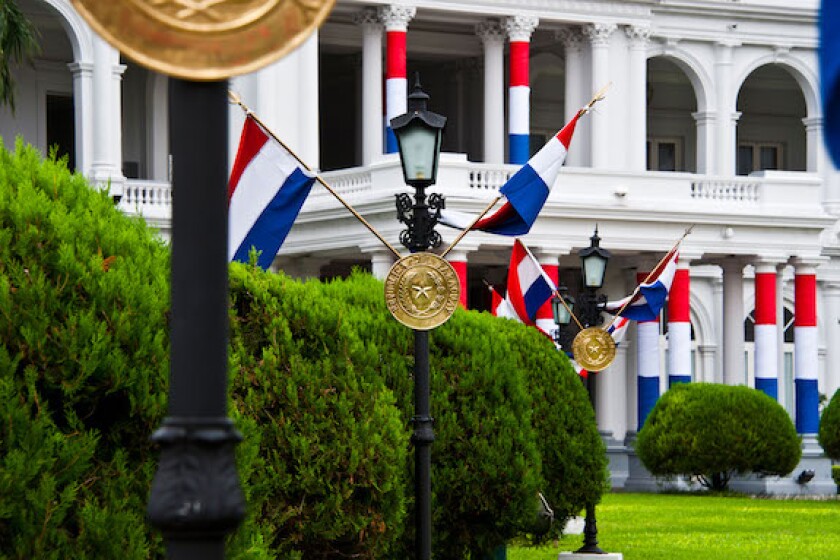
x: 267, y: 189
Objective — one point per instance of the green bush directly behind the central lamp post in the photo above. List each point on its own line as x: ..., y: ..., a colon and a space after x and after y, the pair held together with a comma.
x: 485, y: 462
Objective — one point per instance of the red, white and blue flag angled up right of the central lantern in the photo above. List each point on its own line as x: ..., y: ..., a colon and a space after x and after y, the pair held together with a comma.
x: 526, y: 192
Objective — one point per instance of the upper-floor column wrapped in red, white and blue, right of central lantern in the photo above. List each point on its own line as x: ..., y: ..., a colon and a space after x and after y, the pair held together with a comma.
x: 519, y: 29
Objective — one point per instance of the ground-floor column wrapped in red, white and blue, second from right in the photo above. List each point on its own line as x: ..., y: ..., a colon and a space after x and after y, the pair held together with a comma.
x: 766, y: 330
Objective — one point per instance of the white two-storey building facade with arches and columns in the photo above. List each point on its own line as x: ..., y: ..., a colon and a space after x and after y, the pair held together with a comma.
x: 713, y: 119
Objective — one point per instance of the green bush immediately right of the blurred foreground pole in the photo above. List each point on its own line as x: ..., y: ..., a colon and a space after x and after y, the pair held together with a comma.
x: 329, y: 478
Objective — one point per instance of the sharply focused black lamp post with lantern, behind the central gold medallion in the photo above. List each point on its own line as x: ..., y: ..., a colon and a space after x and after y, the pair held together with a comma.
x: 418, y: 135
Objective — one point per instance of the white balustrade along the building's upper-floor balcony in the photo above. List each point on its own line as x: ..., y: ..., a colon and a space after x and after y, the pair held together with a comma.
x: 644, y: 193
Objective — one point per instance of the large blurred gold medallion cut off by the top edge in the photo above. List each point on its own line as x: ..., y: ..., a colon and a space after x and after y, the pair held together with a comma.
x: 204, y: 39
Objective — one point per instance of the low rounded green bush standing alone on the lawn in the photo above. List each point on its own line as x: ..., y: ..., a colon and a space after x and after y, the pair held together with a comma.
x: 713, y: 431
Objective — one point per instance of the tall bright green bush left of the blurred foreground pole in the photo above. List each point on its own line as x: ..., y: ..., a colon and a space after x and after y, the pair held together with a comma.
x: 83, y: 362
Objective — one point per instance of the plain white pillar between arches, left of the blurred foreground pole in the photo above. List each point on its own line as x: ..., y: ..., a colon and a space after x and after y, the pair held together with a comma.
x: 106, y: 166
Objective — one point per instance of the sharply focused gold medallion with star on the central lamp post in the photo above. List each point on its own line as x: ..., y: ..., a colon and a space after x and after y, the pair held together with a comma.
x: 422, y: 291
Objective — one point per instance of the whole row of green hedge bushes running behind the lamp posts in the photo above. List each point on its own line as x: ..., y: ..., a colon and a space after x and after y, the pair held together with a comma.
x: 321, y: 388
